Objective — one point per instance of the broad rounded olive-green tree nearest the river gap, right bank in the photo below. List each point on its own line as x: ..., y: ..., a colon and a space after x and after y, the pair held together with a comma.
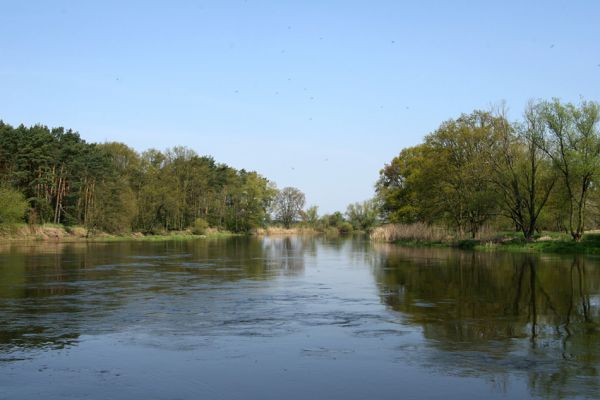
x: 446, y: 180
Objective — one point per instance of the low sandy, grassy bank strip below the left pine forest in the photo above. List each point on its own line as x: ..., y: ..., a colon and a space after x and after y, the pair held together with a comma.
x: 60, y: 233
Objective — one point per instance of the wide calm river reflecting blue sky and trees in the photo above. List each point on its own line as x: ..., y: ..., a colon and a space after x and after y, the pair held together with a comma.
x: 294, y: 318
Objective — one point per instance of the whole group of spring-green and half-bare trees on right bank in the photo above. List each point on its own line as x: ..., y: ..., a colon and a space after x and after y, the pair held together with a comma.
x: 482, y: 169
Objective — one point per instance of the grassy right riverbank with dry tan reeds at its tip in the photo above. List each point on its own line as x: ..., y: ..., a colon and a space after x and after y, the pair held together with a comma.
x: 420, y: 235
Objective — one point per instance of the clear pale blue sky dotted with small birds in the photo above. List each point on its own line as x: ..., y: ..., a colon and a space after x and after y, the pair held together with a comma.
x: 316, y: 94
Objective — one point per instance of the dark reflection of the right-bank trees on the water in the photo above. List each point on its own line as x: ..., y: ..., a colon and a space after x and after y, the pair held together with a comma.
x: 491, y: 314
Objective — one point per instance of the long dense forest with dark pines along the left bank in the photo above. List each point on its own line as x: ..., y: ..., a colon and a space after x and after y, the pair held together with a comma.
x: 54, y: 176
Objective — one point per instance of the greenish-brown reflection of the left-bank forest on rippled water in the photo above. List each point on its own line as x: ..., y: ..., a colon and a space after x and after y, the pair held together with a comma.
x: 51, y: 293
